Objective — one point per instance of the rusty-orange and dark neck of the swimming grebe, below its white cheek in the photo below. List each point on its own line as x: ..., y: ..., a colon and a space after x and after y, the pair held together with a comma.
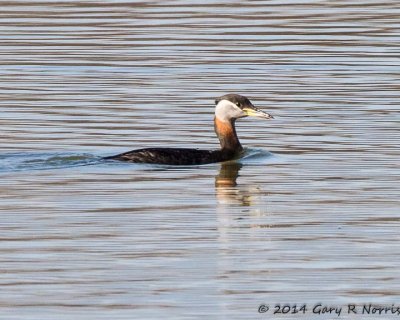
x: 225, y: 130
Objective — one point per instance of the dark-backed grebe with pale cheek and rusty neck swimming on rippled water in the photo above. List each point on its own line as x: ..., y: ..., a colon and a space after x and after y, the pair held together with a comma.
x: 228, y: 108
